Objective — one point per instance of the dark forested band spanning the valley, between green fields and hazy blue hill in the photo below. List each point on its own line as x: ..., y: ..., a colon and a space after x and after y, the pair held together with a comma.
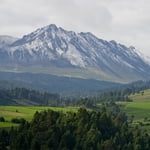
x: 24, y: 96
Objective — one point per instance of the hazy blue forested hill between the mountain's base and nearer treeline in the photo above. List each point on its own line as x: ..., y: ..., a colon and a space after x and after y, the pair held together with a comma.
x: 66, y: 86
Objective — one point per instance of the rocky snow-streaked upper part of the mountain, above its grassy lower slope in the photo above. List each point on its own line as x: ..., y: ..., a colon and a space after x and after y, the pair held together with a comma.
x: 55, y: 46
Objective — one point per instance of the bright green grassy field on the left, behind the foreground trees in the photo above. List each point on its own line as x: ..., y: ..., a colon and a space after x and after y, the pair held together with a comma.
x: 9, y: 112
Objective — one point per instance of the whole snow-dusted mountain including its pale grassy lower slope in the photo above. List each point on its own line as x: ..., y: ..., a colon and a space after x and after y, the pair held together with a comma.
x: 53, y: 50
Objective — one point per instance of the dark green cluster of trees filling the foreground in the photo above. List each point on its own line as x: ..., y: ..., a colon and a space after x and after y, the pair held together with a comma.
x: 84, y: 130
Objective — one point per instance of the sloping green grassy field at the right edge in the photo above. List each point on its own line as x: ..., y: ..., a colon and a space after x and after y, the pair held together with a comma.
x: 139, y: 108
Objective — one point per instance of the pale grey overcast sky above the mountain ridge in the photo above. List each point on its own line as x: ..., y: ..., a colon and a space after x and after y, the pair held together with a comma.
x: 126, y: 21
